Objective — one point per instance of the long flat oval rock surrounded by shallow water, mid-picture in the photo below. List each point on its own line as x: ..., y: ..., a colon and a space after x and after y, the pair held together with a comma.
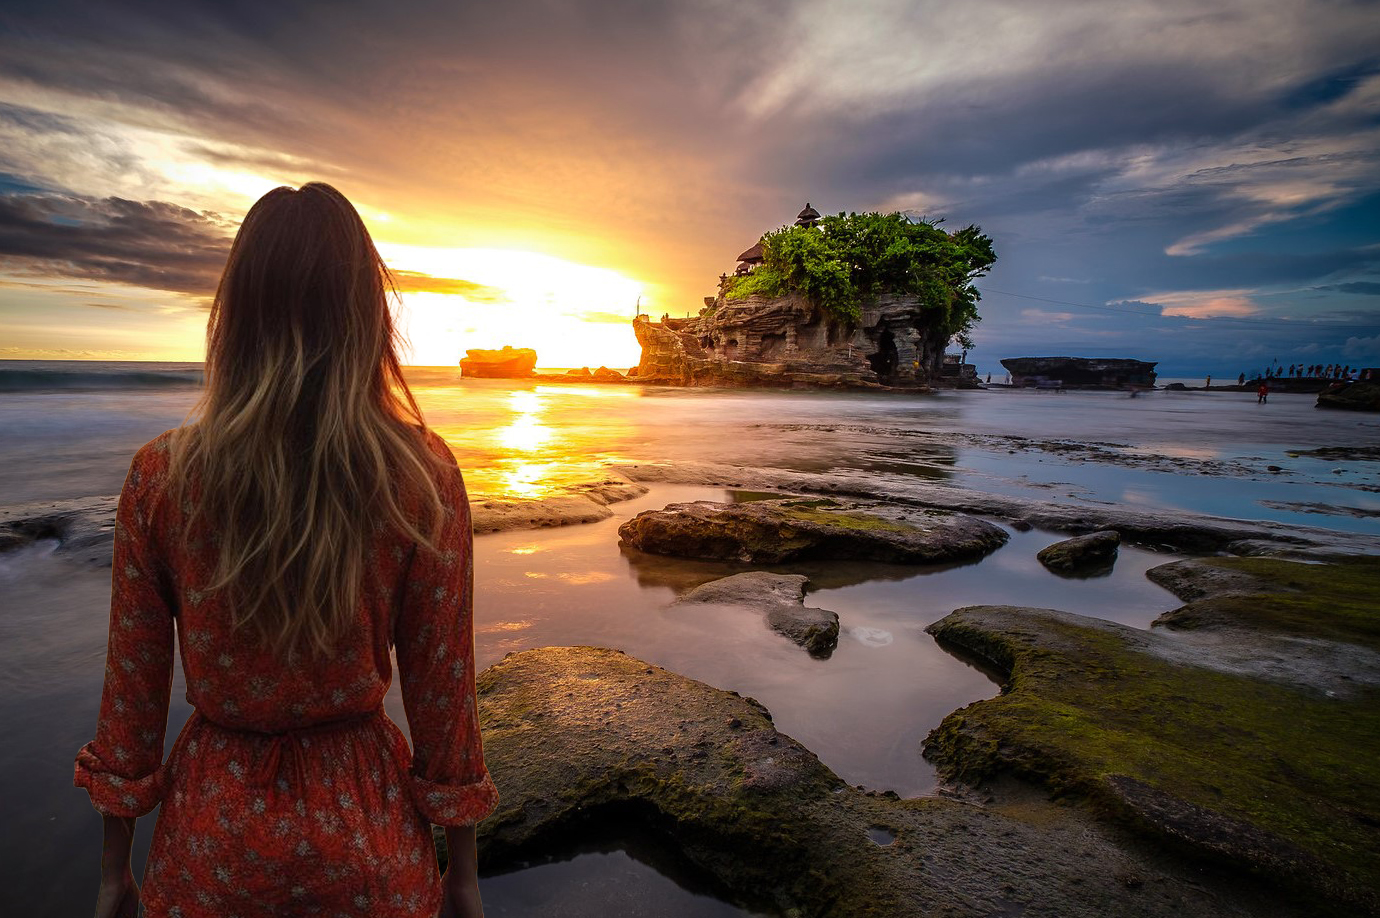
x: 794, y: 529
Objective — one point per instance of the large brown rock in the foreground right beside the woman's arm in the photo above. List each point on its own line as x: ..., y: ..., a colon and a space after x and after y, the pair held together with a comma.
x: 579, y: 736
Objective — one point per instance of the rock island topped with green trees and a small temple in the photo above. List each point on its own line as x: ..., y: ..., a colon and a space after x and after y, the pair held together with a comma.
x: 847, y: 302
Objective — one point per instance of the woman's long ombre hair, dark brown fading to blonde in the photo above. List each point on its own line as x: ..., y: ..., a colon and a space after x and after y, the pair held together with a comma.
x: 308, y: 440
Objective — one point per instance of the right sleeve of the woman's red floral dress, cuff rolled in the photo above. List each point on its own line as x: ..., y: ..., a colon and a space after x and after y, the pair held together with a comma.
x: 437, y: 665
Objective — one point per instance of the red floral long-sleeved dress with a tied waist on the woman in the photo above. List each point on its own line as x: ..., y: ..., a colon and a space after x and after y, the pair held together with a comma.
x: 289, y: 792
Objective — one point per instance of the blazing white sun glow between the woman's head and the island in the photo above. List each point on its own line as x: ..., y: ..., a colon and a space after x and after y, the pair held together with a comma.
x: 573, y: 315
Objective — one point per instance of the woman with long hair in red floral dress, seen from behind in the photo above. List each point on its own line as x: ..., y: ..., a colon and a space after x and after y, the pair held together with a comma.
x: 300, y: 532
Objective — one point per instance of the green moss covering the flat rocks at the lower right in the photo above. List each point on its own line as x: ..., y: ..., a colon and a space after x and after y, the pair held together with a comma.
x: 1081, y: 707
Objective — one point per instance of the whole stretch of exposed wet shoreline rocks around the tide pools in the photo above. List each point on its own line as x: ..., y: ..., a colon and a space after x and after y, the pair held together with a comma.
x: 1221, y: 764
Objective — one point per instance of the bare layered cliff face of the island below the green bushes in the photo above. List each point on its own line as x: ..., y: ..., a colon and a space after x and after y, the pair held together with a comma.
x: 789, y: 342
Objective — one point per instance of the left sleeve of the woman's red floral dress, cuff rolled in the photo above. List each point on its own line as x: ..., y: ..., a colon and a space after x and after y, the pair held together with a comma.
x: 121, y: 768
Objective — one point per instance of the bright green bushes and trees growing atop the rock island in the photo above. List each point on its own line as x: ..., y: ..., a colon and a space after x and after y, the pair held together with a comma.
x: 854, y: 257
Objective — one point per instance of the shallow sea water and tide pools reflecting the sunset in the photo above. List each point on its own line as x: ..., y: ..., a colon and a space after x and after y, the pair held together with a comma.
x: 865, y: 712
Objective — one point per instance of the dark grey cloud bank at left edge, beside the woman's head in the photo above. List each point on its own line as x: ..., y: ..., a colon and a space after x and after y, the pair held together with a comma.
x: 146, y: 244
